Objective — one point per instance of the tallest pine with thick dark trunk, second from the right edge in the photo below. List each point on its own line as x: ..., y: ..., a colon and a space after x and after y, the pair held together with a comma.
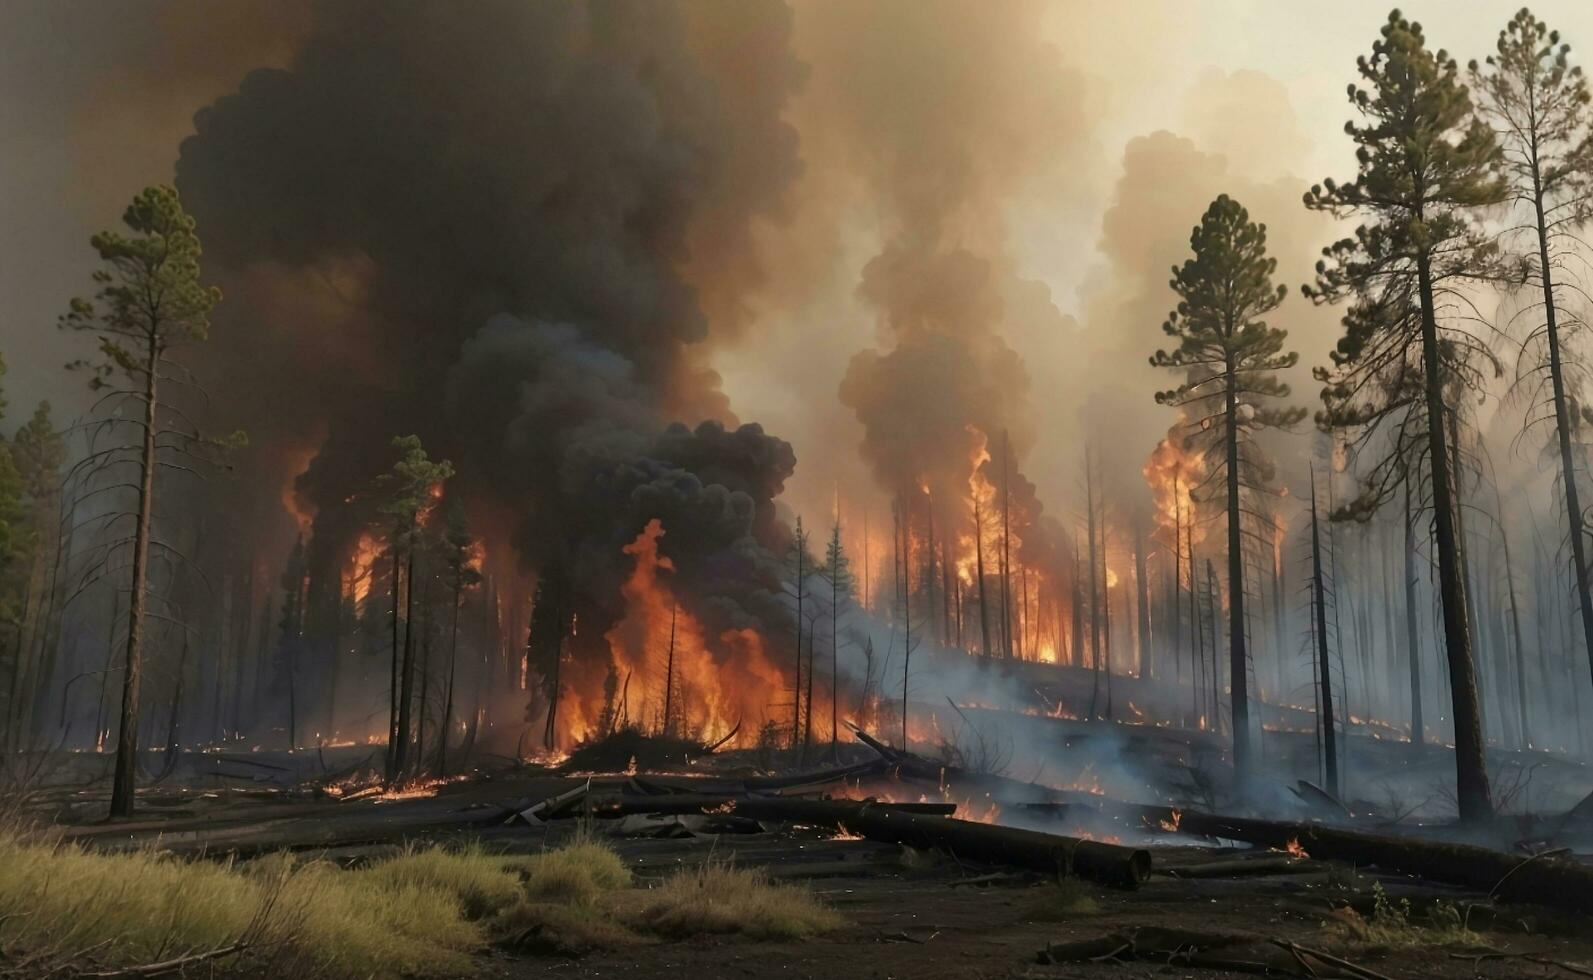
x: 1427, y: 167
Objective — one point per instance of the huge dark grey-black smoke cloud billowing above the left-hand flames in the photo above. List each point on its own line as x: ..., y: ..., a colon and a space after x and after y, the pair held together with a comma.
x: 503, y: 219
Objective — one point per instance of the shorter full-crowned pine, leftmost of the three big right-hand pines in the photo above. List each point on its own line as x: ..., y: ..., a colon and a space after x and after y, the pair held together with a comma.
x: 1231, y: 356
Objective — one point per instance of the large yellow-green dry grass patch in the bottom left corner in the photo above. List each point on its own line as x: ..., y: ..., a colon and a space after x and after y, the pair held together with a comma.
x: 412, y: 915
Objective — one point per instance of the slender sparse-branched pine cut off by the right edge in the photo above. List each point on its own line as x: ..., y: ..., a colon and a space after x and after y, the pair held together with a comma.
x: 1538, y: 104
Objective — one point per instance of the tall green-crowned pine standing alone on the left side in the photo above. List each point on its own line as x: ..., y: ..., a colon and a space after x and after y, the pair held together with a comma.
x: 149, y: 304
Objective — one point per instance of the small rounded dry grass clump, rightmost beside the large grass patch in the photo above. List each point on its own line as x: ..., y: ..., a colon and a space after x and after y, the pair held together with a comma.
x: 721, y: 898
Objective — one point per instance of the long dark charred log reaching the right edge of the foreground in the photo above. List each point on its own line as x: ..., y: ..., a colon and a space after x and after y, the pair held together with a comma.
x: 1557, y: 882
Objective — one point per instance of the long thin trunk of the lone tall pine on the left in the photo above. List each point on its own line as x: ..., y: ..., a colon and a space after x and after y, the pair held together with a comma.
x: 123, y: 783
